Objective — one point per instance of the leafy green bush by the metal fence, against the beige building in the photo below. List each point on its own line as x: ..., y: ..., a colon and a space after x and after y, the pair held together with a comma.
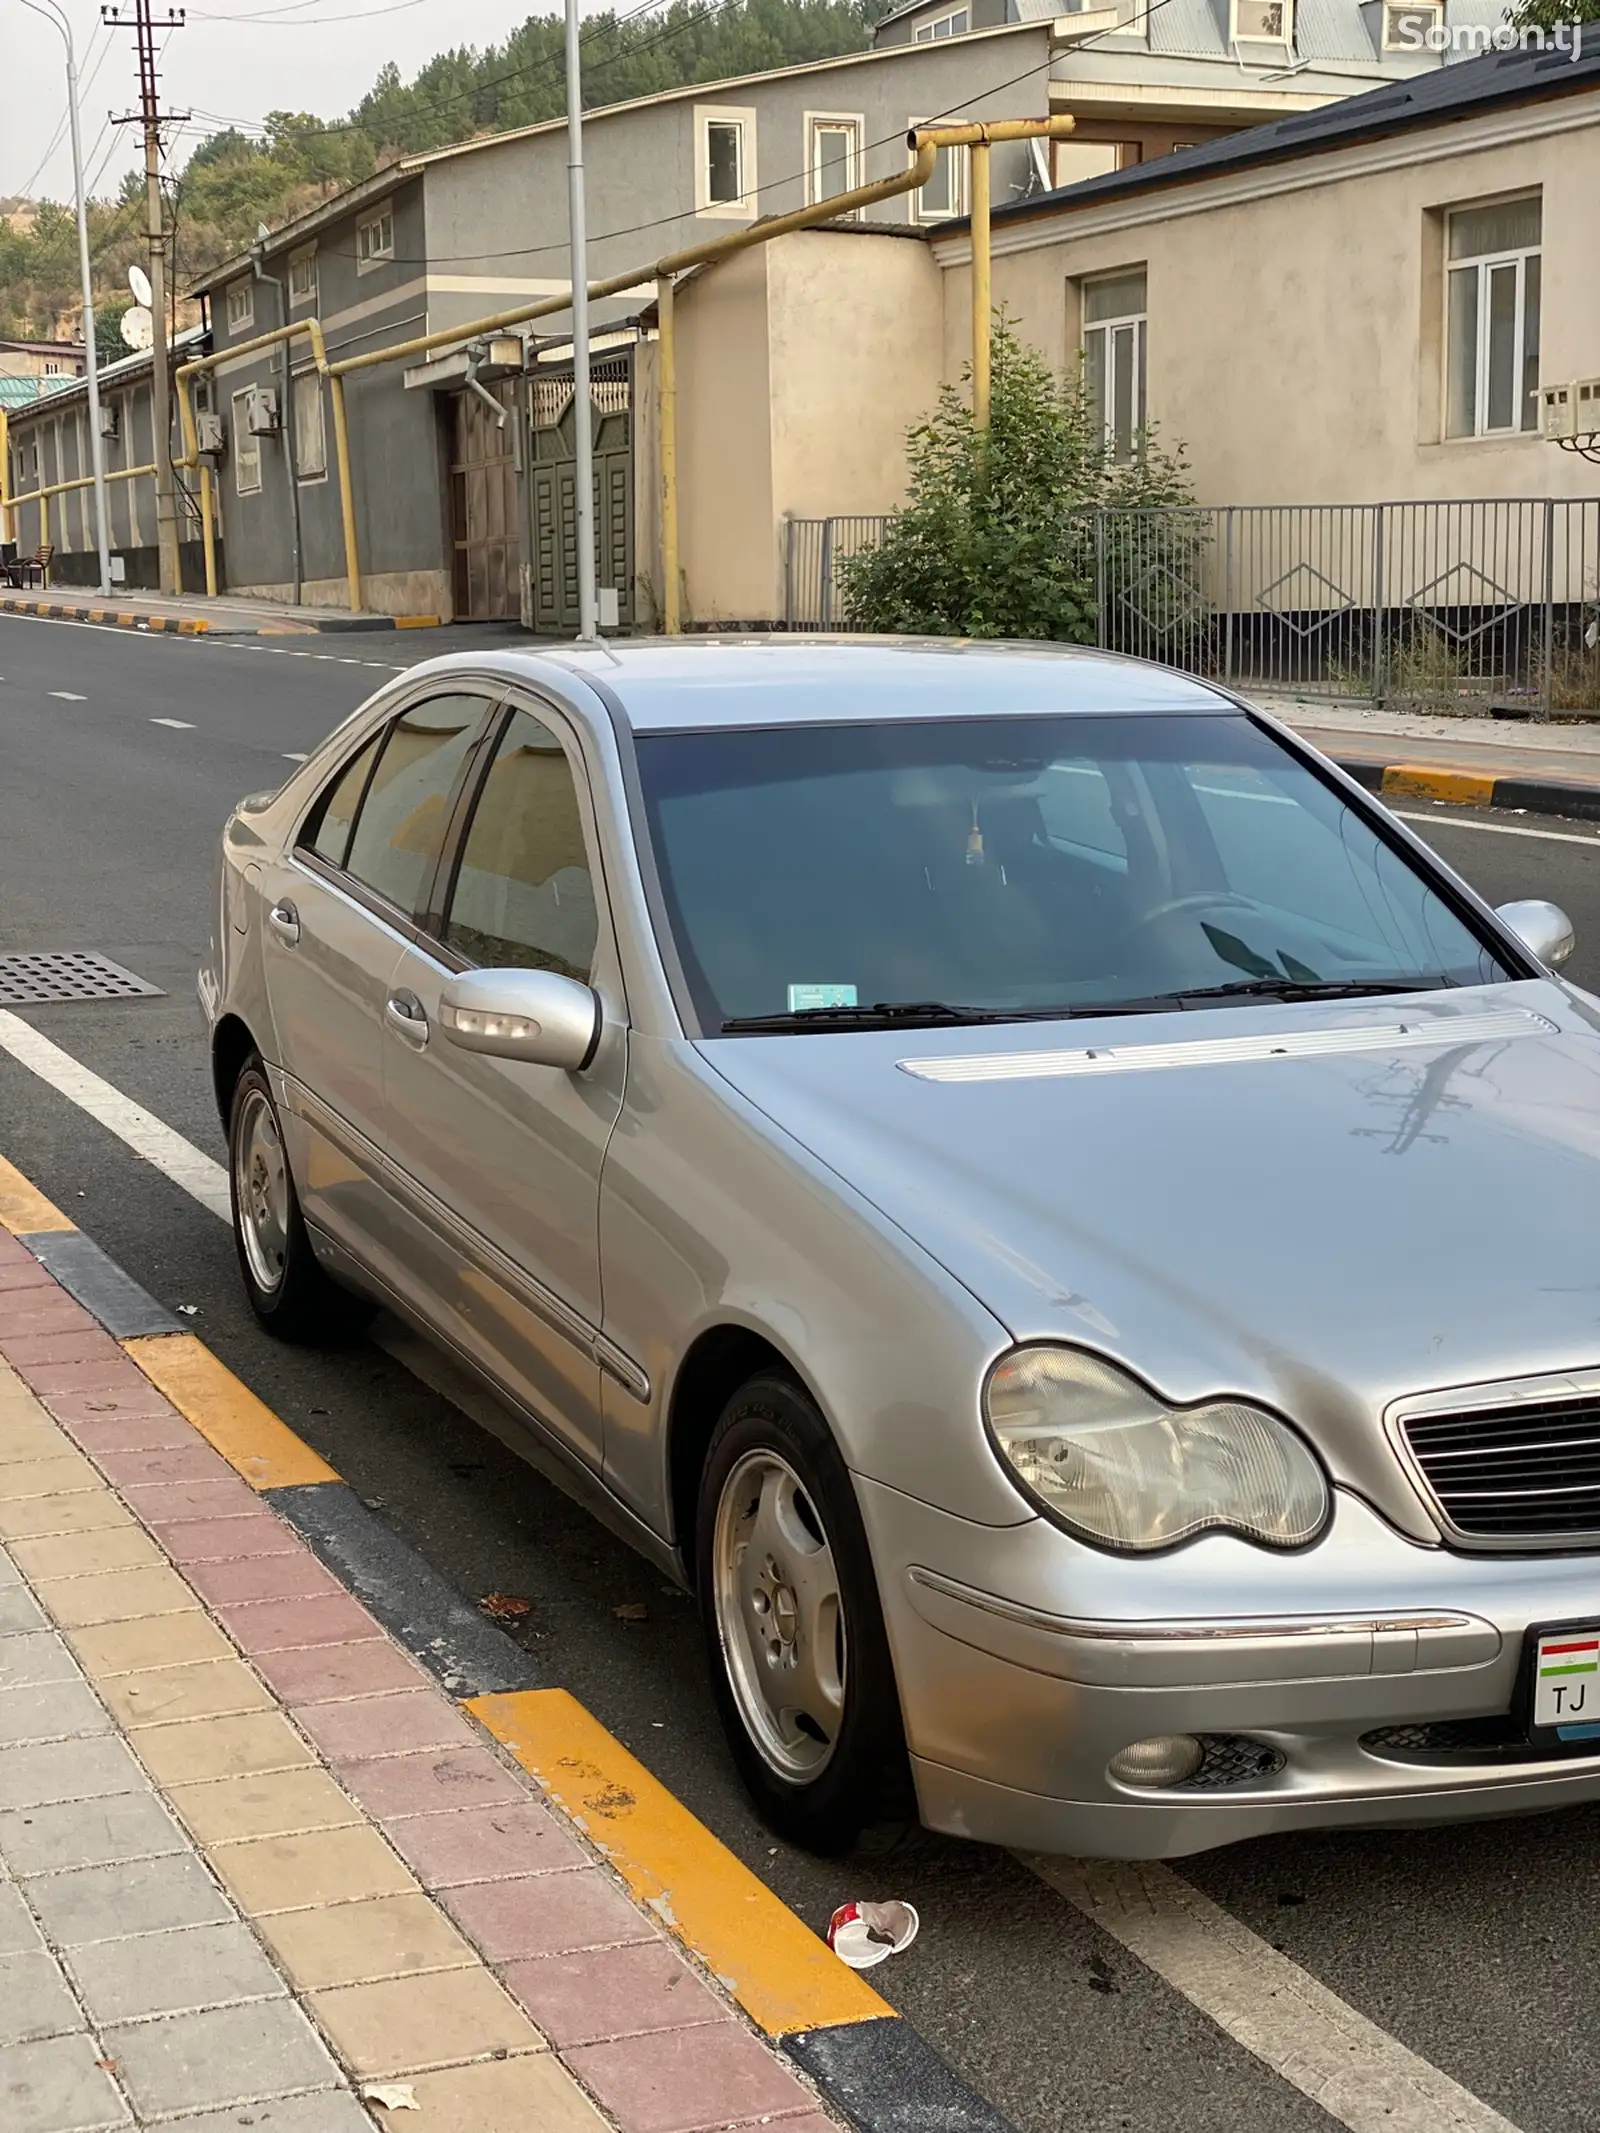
x: 997, y: 534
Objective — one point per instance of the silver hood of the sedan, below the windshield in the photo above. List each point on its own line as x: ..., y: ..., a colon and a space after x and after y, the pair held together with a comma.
x: 1317, y: 1206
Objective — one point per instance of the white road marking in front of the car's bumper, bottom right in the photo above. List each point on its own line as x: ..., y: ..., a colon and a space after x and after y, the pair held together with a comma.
x: 1309, y: 2036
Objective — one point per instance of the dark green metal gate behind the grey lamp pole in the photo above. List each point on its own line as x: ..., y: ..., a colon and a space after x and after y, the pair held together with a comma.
x: 551, y: 579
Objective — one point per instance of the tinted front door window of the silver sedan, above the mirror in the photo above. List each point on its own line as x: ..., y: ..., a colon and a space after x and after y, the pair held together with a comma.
x: 524, y: 895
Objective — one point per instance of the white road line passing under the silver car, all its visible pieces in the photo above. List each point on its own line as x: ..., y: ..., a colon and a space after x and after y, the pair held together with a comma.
x: 1309, y: 2036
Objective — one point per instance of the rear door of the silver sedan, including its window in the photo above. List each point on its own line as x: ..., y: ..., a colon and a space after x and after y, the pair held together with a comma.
x: 338, y: 916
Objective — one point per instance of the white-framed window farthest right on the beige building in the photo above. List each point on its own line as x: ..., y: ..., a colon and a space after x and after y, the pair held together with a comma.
x: 1492, y: 319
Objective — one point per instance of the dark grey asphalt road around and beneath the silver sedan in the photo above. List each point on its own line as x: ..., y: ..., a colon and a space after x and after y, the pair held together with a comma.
x: 1467, y: 1946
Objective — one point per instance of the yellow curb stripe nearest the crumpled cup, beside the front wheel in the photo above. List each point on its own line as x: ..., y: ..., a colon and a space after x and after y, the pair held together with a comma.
x: 771, y: 1961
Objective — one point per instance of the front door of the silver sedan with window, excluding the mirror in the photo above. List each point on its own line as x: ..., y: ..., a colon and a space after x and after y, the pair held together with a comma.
x: 500, y: 1161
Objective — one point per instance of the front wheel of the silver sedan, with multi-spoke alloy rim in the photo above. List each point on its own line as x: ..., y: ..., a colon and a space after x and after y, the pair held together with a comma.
x: 795, y: 1629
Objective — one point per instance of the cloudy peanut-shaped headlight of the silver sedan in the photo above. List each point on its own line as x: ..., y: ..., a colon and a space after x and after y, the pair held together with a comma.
x: 1104, y: 1458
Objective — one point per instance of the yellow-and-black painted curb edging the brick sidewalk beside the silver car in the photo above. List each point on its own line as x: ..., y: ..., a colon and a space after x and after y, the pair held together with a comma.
x: 861, y: 2055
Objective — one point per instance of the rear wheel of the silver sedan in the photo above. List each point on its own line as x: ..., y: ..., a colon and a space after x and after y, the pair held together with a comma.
x: 289, y: 1292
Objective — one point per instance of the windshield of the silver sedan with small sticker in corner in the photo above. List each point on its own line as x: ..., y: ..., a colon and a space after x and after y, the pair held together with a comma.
x: 1027, y: 867
